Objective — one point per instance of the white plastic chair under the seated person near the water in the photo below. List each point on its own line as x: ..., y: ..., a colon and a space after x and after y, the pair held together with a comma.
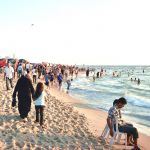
x: 116, y: 137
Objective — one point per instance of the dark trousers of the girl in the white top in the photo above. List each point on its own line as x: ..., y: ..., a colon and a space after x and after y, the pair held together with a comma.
x: 39, y: 114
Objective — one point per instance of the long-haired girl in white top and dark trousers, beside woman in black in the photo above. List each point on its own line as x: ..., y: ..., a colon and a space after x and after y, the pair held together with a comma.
x: 39, y: 102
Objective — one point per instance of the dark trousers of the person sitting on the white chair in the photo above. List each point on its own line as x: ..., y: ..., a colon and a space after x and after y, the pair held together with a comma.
x: 129, y: 129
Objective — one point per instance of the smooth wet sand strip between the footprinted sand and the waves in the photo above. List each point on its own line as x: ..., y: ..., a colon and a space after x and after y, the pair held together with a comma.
x: 96, y: 124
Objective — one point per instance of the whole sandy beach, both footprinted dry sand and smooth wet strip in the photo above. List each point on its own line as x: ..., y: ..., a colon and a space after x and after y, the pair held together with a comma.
x: 69, y: 124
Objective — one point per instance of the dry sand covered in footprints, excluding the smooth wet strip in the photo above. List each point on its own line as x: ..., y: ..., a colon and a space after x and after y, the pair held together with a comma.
x: 64, y: 127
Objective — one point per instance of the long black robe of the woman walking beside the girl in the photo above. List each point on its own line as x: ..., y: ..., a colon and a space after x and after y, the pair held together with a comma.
x: 24, y: 88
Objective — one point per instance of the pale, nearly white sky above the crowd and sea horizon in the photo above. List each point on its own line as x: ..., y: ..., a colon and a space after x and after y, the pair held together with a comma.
x: 96, y: 32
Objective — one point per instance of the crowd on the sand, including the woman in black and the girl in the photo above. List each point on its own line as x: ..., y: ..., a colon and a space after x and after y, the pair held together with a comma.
x: 28, y: 76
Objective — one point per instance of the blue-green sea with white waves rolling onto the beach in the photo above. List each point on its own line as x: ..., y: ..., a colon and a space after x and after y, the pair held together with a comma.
x: 101, y: 93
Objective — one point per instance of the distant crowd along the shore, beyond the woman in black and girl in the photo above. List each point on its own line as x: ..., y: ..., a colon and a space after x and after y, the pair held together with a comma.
x: 51, y: 74
